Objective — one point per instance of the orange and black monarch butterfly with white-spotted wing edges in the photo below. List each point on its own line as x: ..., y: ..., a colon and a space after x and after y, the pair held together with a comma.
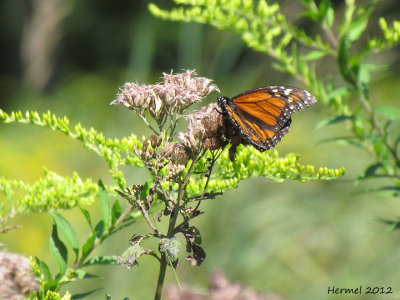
x: 261, y: 117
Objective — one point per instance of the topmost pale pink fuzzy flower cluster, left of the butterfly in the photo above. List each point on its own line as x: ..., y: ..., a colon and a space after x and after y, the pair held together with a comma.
x: 176, y: 93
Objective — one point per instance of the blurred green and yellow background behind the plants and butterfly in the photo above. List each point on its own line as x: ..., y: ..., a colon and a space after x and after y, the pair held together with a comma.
x: 294, y: 239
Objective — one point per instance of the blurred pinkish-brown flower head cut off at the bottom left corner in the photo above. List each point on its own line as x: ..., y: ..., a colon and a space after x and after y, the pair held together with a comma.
x: 16, y: 277
